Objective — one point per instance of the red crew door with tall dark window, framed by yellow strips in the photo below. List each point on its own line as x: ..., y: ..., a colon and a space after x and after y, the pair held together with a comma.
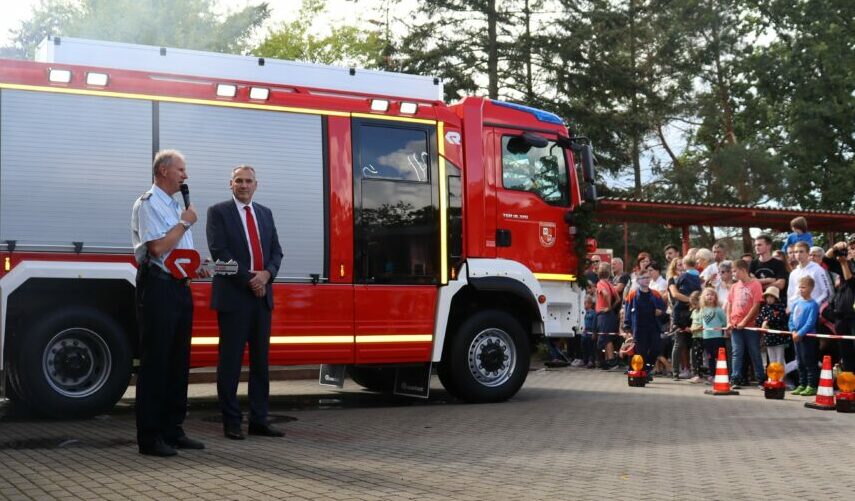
x: 396, y: 240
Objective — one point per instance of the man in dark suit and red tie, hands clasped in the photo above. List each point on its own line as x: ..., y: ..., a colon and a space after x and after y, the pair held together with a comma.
x: 243, y: 230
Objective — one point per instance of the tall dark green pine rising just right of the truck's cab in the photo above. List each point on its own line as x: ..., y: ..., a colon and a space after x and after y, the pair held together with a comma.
x: 619, y: 70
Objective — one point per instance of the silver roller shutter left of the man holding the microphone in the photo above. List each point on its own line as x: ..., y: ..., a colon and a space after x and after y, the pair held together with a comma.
x: 71, y: 168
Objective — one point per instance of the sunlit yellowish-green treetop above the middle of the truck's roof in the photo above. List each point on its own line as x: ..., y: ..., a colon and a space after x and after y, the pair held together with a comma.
x: 296, y: 41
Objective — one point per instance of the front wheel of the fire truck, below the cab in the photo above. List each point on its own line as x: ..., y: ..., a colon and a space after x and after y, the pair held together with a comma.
x: 488, y: 358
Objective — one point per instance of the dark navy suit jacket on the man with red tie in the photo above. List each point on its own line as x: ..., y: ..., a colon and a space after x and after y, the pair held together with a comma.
x: 227, y: 240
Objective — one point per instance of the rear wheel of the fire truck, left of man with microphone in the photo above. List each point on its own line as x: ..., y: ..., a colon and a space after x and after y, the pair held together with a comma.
x: 74, y: 362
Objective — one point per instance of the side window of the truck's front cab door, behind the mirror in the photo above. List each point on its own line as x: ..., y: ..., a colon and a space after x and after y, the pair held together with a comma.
x: 542, y: 171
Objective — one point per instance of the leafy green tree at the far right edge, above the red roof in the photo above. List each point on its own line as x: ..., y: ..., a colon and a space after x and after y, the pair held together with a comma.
x: 806, y: 77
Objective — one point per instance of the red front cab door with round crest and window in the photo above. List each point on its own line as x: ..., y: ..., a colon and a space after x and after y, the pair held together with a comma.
x: 532, y: 196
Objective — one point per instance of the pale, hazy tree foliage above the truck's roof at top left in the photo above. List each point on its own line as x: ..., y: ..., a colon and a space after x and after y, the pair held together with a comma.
x: 189, y: 24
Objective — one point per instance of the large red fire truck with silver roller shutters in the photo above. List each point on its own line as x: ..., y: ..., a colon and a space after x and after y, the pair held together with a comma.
x: 417, y: 235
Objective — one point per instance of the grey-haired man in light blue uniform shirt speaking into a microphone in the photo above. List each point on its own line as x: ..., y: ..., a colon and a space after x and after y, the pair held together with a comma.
x: 164, y: 310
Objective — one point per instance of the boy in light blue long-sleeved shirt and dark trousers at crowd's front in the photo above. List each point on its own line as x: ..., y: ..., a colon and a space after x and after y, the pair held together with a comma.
x: 805, y: 312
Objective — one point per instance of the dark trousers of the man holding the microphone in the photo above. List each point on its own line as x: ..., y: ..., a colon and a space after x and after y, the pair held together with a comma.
x: 166, y: 321
